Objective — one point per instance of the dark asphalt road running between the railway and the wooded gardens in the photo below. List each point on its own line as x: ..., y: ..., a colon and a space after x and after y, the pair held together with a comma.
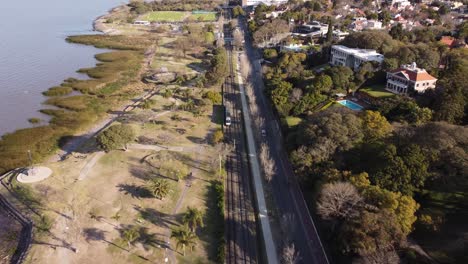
x: 286, y: 191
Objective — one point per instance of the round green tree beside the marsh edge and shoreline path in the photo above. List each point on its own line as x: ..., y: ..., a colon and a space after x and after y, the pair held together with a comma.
x: 115, y: 137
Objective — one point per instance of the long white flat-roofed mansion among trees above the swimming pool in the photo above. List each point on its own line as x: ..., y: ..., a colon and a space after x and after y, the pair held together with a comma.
x: 353, y: 58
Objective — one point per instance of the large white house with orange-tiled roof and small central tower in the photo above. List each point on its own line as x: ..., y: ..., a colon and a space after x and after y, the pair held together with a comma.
x: 409, y: 78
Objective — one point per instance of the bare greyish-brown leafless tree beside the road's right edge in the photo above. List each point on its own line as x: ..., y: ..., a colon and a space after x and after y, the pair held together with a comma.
x: 338, y: 200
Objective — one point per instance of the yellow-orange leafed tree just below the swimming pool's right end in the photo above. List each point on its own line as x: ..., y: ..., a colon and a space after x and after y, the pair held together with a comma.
x: 375, y: 126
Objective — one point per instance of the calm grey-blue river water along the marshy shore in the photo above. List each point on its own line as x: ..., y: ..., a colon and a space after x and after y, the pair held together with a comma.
x: 35, y: 56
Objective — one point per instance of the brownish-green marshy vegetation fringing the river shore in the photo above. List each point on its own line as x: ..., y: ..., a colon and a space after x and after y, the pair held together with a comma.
x: 94, y: 97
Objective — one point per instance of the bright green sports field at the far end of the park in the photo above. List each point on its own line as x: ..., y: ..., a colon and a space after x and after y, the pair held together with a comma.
x: 179, y: 16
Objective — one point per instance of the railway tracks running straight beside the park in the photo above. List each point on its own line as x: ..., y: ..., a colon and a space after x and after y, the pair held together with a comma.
x: 240, y: 225
